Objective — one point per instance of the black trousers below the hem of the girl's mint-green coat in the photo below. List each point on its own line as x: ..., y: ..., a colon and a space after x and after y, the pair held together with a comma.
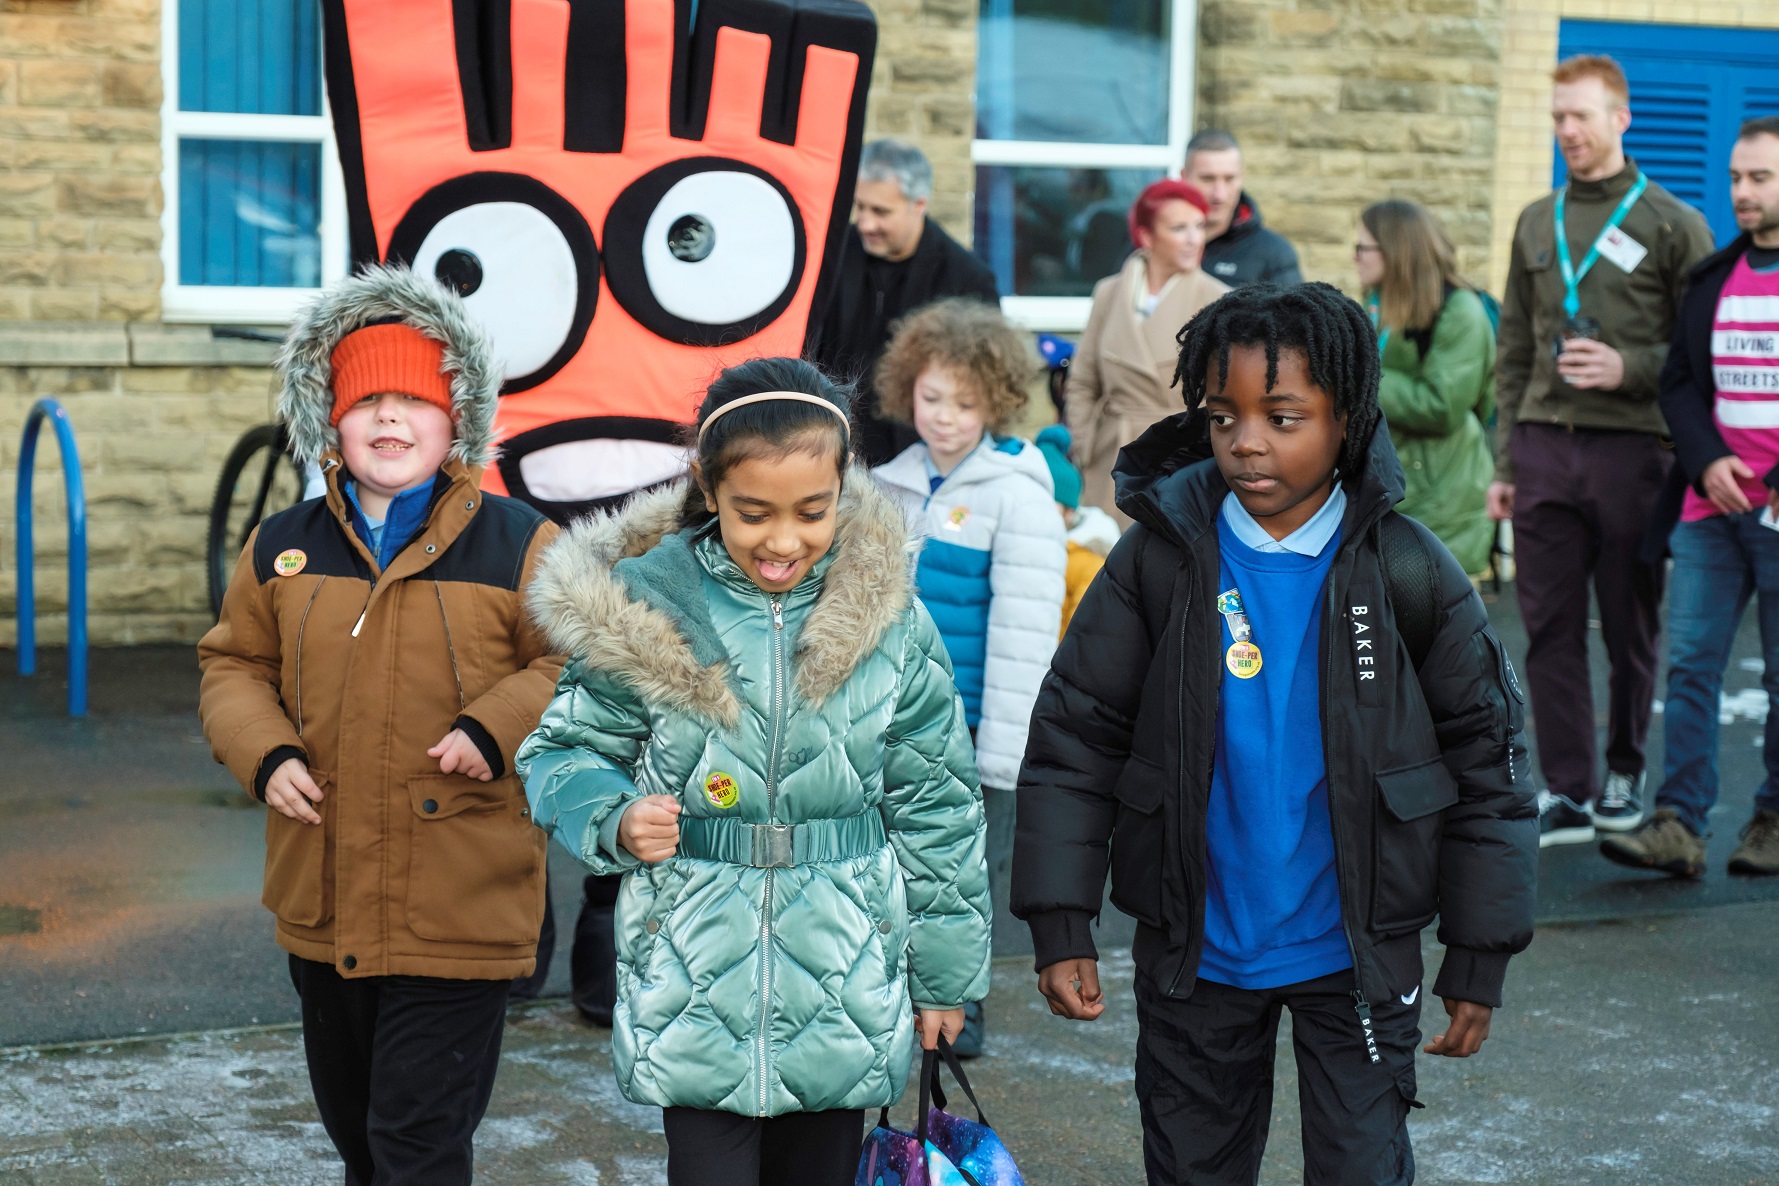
x: 796, y: 1150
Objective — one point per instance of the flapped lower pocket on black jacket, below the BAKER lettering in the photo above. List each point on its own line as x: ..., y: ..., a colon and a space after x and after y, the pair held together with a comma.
x: 1406, y: 858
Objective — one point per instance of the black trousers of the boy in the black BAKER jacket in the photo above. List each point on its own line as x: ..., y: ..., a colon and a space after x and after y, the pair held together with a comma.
x: 1205, y: 1084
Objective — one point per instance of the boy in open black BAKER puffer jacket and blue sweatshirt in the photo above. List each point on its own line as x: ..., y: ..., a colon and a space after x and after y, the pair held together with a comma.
x: 1284, y: 721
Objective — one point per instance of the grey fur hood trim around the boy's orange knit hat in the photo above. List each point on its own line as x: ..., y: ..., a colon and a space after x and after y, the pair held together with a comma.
x: 380, y: 294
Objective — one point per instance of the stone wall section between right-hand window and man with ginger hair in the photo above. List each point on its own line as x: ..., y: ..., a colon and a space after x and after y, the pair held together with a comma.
x: 1346, y: 102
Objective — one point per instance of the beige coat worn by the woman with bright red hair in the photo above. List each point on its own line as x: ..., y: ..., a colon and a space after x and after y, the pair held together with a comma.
x: 1123, y: 373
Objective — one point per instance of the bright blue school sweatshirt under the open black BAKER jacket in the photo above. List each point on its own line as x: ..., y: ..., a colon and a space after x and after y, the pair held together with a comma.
x: 1273, y: 902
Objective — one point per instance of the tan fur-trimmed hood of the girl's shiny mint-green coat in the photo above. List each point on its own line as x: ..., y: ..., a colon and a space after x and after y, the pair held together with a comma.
x: 622, y: 593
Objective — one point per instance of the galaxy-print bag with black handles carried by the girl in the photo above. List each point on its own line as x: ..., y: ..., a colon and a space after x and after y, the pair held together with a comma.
x: 944, y: 1150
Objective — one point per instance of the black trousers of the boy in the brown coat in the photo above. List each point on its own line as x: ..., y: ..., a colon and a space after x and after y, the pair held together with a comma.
x: 403, y: 1070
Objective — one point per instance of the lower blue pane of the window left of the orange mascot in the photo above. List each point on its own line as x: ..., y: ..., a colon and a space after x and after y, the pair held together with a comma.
x: 250, y: 214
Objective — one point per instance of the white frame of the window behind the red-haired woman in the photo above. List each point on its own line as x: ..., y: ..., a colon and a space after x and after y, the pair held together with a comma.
x: 1070, y: 314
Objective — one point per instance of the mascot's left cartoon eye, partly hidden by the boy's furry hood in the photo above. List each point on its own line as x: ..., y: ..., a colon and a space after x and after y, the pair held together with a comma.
x: 520, y: 257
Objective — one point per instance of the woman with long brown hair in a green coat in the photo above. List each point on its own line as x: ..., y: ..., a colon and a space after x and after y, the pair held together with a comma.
x: 1438, y: 387
